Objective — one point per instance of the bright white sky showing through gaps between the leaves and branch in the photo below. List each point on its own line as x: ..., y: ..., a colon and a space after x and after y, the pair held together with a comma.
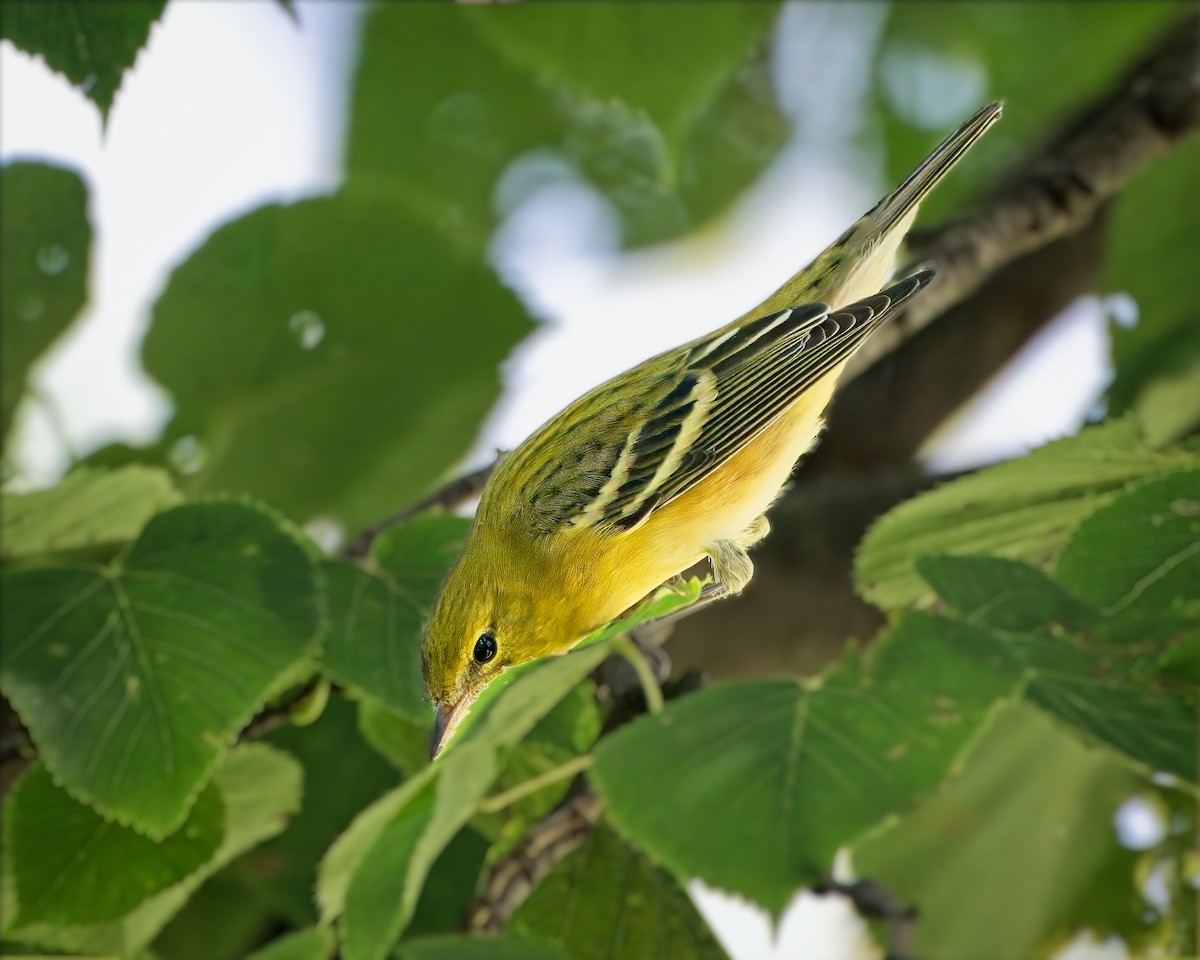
x: 190, y: 147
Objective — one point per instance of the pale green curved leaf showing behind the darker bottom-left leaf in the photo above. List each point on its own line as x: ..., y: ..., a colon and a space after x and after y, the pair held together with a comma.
x: 260, y: 789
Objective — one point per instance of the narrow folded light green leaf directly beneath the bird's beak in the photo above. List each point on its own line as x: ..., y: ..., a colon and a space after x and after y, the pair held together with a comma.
x: 373, y: 877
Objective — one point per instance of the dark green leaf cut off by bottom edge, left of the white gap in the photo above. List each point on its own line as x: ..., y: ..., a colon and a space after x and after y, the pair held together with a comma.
x: 607, y: 902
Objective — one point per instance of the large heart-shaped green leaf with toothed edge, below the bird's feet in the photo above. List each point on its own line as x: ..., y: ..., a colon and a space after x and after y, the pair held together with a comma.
x: 778, y: 775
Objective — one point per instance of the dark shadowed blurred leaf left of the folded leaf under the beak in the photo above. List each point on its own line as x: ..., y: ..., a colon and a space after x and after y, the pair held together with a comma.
x: 343, y: 776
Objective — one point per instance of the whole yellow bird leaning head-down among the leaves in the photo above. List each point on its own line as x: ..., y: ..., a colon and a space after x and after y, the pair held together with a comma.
x: 668, y: 464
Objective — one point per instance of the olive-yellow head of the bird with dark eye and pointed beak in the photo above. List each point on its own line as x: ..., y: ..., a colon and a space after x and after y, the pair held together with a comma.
x: 487, y: 620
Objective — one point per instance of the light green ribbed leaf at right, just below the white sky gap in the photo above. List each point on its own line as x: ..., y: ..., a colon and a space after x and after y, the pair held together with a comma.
x: 1024, y: 509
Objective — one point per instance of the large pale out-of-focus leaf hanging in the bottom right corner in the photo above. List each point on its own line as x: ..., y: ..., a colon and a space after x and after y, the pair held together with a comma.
x: 1018, y: 851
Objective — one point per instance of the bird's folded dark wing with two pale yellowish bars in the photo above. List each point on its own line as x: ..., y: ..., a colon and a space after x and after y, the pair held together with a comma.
x: 634, y: 446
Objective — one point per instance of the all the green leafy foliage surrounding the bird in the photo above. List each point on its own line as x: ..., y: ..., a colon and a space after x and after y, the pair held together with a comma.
x: 332, y: 359
